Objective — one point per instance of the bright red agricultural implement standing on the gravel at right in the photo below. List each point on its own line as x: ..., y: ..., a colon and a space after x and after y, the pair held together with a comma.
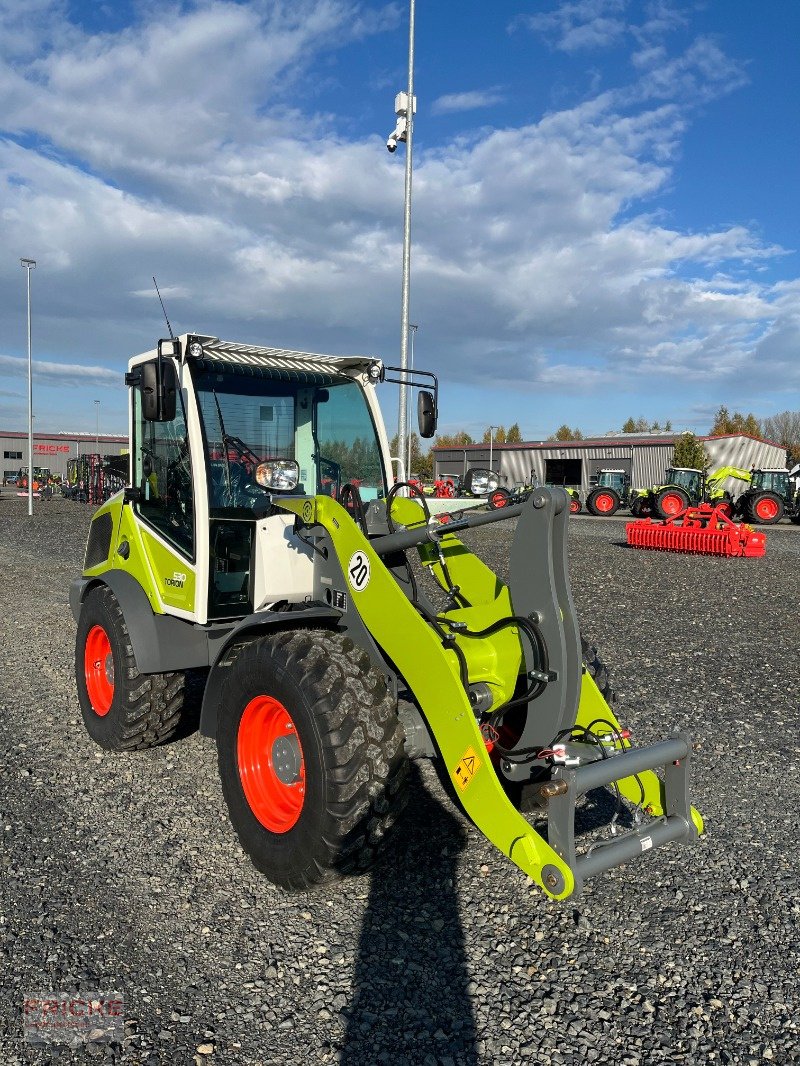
x: 705, y: 530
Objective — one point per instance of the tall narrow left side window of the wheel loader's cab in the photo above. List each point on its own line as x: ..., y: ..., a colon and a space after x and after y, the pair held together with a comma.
x: 163, y: 473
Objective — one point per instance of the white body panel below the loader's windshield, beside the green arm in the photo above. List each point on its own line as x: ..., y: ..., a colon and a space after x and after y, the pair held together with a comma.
x: 293, y: 578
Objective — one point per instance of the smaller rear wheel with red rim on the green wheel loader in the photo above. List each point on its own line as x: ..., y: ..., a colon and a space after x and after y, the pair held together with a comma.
x: 145, y: 709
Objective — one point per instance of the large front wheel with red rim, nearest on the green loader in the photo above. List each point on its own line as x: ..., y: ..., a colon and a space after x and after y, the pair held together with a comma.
x: 354, y: 763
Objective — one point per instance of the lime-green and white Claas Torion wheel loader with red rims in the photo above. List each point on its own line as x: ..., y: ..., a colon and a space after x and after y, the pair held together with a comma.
x: 344, y: 632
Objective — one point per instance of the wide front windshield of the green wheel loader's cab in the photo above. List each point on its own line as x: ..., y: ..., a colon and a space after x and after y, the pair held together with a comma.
x: 327, y: 430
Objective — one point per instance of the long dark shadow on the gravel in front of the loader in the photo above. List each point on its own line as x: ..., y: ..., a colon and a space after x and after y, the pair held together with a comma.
x: 411, y: 998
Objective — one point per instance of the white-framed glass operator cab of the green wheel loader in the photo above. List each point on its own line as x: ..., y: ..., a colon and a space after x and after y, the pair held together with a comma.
x: 218, y: 429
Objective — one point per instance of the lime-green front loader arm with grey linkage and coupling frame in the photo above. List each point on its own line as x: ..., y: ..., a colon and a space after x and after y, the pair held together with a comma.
x: 425, y: 655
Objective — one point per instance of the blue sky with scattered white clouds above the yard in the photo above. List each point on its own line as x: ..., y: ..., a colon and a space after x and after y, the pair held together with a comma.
x: 605, y: 199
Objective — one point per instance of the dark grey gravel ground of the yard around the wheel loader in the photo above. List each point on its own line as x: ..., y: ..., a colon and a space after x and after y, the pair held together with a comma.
x: 122, y: 873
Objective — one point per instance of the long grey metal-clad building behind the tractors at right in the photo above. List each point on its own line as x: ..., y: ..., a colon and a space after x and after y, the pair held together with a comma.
x: 577, y: 463
